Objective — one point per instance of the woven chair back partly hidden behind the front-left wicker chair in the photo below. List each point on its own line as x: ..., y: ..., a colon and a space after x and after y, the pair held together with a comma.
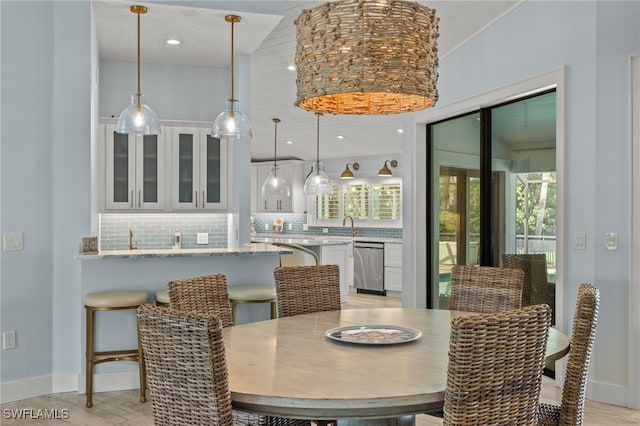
x: 204, y: 294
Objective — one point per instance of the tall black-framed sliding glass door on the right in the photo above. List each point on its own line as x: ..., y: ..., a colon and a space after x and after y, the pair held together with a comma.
x: 492, y: 180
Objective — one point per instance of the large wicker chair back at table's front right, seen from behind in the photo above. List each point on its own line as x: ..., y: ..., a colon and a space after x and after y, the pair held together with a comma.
x: 495, y: 367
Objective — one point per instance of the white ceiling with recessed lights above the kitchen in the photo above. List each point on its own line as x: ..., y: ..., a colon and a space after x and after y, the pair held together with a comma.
x: 267, y: 32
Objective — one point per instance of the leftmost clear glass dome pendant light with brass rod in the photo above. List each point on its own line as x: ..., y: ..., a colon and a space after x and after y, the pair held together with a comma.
x: 138, y: 118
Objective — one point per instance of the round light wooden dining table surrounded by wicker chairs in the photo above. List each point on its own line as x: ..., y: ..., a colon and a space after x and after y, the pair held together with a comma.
x: 288, y: 367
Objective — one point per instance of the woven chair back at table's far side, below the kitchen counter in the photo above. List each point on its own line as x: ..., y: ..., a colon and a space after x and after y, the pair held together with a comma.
x: 307, y: 289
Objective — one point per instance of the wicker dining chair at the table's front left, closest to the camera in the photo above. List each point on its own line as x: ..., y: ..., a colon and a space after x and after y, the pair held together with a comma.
x: 187, y: 375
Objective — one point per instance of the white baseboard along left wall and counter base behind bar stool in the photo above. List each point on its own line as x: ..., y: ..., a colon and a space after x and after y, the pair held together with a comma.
x: 67, y: 382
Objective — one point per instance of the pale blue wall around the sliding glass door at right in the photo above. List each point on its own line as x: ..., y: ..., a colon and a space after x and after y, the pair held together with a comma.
x: 593, y: 41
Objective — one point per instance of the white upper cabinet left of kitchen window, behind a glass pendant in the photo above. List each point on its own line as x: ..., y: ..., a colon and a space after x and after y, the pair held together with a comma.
x: 292, y: 172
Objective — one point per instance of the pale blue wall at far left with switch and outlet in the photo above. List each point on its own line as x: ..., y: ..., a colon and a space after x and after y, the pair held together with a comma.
x: 46, y: 143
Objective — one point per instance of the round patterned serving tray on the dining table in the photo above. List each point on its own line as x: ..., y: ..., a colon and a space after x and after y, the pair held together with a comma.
x: 374, y: 334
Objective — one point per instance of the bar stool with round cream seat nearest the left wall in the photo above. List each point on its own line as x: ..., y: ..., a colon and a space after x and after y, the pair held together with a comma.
x: 111, y: 301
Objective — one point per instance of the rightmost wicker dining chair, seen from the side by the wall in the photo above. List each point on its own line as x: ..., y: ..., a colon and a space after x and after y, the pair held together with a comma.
x: 571, y: 409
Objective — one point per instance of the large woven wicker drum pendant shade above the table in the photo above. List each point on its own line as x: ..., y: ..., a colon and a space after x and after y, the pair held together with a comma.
x: 367, y: 57
